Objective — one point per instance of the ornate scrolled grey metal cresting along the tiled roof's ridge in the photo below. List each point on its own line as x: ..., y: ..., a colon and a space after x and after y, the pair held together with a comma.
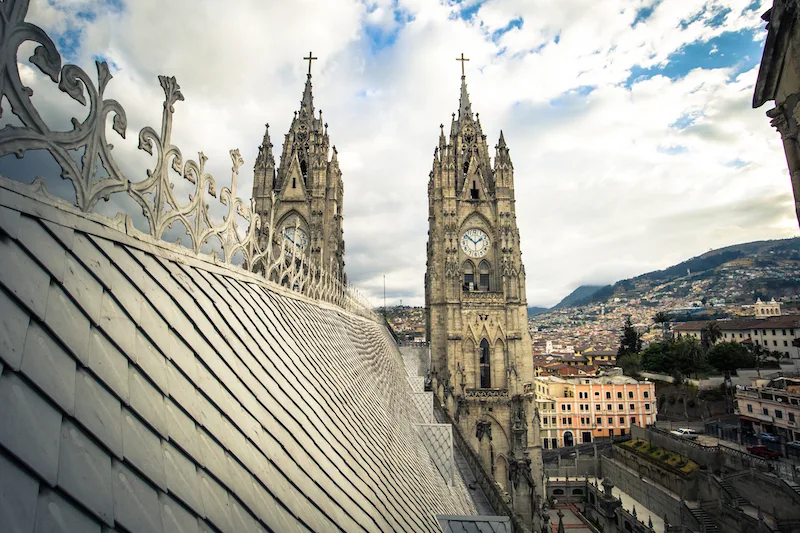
x: 260, y: 247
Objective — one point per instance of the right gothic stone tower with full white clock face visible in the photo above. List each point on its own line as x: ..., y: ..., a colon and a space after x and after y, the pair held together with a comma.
x: 476, y: 308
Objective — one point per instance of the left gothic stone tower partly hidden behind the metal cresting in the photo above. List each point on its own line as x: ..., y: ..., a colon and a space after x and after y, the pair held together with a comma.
x: 307, y: 185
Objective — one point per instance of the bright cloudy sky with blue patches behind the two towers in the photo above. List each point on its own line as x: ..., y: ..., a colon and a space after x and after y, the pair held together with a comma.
x: 630, y: 124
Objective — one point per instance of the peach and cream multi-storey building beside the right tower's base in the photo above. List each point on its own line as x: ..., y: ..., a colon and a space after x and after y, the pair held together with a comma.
x: 580, y: 410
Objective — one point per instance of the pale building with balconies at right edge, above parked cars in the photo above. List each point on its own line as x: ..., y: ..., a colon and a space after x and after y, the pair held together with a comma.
x: 774, y: 408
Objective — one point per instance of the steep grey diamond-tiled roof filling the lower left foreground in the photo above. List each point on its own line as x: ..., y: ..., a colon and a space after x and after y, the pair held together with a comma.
x: 143, y: 388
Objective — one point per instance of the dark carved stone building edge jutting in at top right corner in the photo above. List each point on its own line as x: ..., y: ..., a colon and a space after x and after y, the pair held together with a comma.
x: 779, y: 81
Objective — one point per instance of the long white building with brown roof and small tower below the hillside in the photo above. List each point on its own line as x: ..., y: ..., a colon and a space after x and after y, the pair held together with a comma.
x: 775, y: 334
